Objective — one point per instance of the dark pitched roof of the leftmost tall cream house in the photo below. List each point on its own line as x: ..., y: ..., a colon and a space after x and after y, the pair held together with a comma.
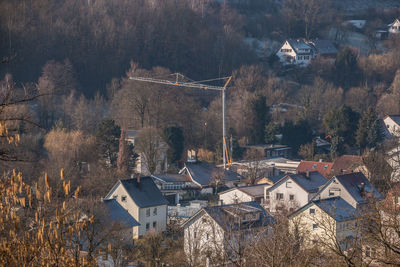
x: 144, y: 193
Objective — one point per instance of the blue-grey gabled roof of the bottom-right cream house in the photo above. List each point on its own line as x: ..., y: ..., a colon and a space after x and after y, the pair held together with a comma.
x: 335, y: 207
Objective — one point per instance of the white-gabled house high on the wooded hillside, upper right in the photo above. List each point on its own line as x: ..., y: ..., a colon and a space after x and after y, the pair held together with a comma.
x: 288, y: 55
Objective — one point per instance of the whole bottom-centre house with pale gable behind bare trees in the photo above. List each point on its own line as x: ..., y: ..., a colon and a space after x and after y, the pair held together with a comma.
x: 216, y: 233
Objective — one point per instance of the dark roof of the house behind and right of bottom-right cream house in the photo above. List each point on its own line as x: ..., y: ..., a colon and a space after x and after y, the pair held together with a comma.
x: 352, y: 183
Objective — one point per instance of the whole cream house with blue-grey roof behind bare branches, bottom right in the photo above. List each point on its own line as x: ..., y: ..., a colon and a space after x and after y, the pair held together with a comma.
x: 326, y: 222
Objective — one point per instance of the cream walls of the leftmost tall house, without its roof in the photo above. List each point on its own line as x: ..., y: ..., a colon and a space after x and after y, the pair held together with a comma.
x: 150, y: 218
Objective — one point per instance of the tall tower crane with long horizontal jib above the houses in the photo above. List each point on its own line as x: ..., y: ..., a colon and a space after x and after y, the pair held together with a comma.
x: 179, y: 81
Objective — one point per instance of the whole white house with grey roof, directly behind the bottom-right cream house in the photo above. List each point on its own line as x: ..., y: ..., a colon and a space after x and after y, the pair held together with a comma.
x: 293, y: 191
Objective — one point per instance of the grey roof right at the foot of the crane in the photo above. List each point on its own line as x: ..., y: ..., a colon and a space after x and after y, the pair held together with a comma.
x: 203, y: 173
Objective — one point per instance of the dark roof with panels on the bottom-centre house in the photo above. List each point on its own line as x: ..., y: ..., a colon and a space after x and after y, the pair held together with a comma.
x: 222, y: 215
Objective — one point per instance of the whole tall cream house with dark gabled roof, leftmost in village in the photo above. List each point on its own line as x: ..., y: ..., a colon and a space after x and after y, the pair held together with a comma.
x: 142, y: 199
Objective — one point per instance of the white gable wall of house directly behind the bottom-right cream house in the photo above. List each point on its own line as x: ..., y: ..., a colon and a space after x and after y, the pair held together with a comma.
x: 288, y: 195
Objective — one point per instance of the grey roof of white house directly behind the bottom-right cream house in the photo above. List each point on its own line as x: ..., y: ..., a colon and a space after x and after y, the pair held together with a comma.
x: 310, y: 184
